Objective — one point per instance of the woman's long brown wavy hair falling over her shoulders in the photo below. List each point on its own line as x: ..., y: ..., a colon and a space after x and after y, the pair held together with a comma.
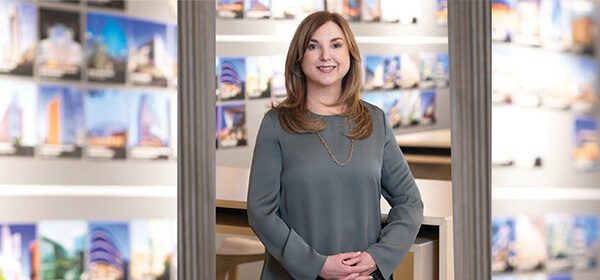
x: 293, y: 112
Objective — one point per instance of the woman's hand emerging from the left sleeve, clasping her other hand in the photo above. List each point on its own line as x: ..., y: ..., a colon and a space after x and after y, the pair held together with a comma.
x: 334, y: 268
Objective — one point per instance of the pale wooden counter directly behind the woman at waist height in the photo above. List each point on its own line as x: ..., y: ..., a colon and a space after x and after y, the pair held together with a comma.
x: 232, y: 188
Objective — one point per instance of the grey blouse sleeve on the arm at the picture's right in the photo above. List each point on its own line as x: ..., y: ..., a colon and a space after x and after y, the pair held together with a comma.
x: 398, y: 187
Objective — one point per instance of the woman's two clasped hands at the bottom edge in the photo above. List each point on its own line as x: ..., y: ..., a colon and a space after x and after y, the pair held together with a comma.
x: 349, y: 266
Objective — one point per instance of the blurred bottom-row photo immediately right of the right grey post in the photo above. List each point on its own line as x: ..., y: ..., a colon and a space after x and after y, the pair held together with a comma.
x: 503, y: 243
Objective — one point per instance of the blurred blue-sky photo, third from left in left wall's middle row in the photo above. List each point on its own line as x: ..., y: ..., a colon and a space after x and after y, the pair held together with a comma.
x: 106, y: 134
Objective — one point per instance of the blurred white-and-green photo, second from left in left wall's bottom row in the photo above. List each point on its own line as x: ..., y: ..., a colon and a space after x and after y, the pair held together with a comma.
x: 62, y: 249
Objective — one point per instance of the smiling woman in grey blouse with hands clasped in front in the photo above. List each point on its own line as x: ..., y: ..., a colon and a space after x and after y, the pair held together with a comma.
x: 319, y: 217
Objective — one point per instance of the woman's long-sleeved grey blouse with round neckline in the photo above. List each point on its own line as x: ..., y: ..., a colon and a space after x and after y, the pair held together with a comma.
x: 304, y: 207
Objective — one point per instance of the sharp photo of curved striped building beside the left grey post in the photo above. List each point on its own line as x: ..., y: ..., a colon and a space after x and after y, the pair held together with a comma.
x: 232, y: 78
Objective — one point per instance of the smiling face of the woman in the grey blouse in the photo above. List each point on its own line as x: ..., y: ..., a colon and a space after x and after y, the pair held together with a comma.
x: 327, y: 58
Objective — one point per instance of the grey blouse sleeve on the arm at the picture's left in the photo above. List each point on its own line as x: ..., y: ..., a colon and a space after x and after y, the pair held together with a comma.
x: 298, y: 258
